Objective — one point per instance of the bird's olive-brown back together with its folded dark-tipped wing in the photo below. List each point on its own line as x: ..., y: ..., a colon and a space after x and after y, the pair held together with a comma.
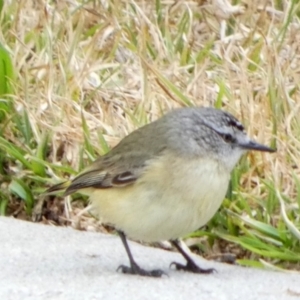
x: 125, y: 163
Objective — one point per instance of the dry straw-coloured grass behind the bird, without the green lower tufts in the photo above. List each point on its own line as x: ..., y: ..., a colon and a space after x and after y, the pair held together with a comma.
x: 94, y: 71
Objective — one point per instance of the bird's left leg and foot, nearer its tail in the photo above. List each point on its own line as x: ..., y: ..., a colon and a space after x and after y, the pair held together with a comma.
x: 134, y: 267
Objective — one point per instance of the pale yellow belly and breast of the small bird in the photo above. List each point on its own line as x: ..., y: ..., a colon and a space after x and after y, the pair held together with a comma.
x: 168, y: 202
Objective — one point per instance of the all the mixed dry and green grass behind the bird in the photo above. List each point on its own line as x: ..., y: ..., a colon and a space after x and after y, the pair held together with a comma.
x: 76, y: 77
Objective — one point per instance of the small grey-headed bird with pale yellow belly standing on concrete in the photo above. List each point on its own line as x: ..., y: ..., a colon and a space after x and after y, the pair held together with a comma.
x: 165, y: 179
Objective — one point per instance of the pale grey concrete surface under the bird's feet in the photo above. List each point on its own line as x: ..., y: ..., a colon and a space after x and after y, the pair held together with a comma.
x: 45, y: 262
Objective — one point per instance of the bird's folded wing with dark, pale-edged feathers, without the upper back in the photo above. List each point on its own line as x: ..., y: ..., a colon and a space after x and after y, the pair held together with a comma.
x: 109, y: 171
